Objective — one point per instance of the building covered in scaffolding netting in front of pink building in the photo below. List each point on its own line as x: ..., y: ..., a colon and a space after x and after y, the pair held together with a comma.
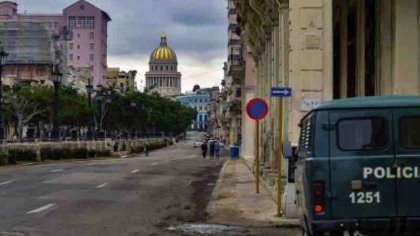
x: 31, y: 52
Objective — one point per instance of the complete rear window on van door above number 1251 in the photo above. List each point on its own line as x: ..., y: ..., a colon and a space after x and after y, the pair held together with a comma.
x: 362, y: 134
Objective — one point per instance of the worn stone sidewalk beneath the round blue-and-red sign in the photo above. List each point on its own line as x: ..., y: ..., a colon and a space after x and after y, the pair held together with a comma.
x: 234, y: 200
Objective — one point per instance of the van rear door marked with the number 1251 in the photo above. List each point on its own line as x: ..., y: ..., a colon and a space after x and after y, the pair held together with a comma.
x: 361, y: 156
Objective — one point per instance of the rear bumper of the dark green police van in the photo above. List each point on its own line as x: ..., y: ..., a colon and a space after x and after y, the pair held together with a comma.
x: 401, y: 226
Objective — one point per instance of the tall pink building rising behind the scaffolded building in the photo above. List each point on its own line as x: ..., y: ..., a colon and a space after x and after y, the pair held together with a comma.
x: 88, y: 25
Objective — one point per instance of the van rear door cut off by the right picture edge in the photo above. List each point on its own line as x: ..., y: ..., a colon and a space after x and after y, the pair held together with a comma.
x: 407, y: 136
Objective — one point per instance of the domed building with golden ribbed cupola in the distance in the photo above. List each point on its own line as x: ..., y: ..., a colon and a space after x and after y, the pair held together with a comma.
x: 163, y: 76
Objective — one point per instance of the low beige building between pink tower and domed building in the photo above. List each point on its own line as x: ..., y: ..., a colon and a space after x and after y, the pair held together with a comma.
x: 121, y: 79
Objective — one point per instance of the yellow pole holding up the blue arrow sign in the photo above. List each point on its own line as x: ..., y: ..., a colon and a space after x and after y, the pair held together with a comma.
x: 280, y: 161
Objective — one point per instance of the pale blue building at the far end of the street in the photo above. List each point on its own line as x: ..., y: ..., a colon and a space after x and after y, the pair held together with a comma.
x: 200, y: 101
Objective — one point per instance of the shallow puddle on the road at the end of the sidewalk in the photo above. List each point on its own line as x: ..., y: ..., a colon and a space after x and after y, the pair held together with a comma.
x: 212, y: 229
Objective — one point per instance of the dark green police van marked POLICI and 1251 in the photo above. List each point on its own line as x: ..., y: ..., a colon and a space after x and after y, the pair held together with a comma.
x: 358, y: 167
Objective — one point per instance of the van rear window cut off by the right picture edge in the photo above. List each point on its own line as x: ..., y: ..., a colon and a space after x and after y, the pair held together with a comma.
x: 409, y: 132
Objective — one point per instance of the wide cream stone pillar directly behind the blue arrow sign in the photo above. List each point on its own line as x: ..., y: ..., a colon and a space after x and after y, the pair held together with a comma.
x: 311, y: 54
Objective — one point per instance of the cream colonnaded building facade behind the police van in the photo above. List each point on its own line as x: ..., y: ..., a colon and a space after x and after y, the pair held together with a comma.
x: 325, y: 49
